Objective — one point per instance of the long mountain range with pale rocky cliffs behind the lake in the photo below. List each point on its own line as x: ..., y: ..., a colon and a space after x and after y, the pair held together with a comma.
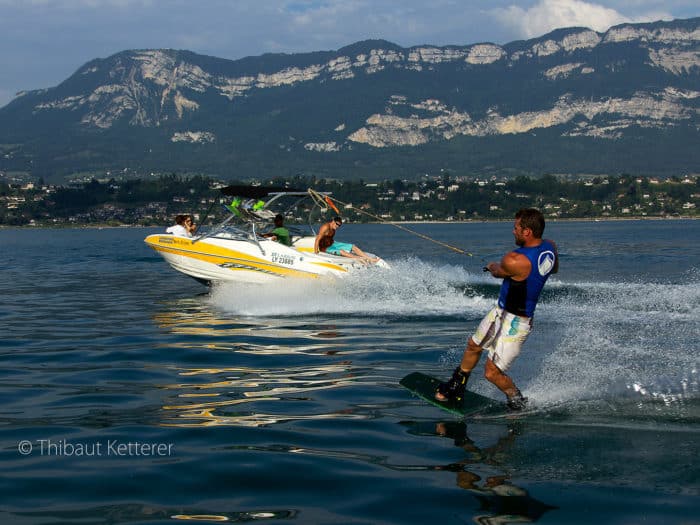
x: 573, y: 101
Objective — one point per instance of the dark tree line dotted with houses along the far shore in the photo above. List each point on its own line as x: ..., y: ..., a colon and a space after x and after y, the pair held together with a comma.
x: 155, y: 200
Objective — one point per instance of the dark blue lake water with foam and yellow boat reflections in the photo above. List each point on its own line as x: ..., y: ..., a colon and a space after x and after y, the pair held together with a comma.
x: 132, y: 394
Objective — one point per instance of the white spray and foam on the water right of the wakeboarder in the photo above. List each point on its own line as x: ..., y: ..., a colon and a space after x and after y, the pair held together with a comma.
x: 630, y: 344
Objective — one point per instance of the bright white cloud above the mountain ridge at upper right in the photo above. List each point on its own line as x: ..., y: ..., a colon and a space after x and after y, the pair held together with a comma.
x: 548, y: 15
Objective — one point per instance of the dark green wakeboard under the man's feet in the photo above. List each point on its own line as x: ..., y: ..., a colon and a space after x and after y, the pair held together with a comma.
x: 472, y: 404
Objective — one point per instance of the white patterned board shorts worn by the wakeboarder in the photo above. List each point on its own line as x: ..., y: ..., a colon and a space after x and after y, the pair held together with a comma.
x: 502, y: 334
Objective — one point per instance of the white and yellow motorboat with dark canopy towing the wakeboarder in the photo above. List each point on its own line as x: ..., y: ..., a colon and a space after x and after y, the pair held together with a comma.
x: 236, y: 250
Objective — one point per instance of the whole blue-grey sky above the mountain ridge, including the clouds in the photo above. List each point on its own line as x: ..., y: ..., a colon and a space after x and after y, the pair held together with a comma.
x: 43, y: 42
